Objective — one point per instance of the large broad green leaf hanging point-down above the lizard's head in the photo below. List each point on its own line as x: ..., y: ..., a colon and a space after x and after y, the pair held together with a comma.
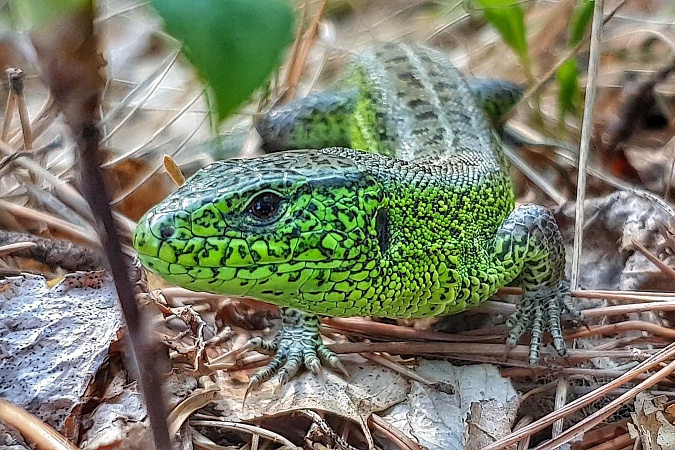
x: 233, y: 44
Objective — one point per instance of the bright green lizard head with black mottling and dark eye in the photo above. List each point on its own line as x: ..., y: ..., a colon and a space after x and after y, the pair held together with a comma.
x: 294, y: 229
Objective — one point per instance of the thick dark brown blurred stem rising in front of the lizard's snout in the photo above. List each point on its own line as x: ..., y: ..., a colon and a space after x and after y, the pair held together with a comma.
x: 67, y: 48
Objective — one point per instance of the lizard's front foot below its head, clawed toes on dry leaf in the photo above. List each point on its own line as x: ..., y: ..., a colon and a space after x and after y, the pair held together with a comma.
x: 298, y: 342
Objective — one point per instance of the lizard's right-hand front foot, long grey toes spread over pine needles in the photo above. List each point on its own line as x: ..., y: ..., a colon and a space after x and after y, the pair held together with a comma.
x: 539, y: 311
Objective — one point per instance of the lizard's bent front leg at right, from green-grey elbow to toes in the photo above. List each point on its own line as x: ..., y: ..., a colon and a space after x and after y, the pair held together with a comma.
x: 529, y: 247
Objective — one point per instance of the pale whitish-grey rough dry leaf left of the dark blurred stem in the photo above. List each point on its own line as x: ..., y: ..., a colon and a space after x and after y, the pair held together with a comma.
x: 54, y: 341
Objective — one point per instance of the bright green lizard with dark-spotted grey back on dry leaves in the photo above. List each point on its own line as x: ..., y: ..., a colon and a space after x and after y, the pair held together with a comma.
x: 417, y: 219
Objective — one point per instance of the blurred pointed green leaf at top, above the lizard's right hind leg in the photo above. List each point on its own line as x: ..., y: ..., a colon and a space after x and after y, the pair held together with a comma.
x: 508, y: 18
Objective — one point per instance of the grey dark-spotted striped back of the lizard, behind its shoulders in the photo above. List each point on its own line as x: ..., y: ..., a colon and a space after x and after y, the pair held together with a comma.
x: 415, y: 105
